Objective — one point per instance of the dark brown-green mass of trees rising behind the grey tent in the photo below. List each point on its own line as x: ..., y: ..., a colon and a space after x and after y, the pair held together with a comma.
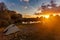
x: 7, y: 16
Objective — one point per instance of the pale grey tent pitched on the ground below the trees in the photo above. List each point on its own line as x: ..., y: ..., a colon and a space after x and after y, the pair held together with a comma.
x: 11, y: 29
